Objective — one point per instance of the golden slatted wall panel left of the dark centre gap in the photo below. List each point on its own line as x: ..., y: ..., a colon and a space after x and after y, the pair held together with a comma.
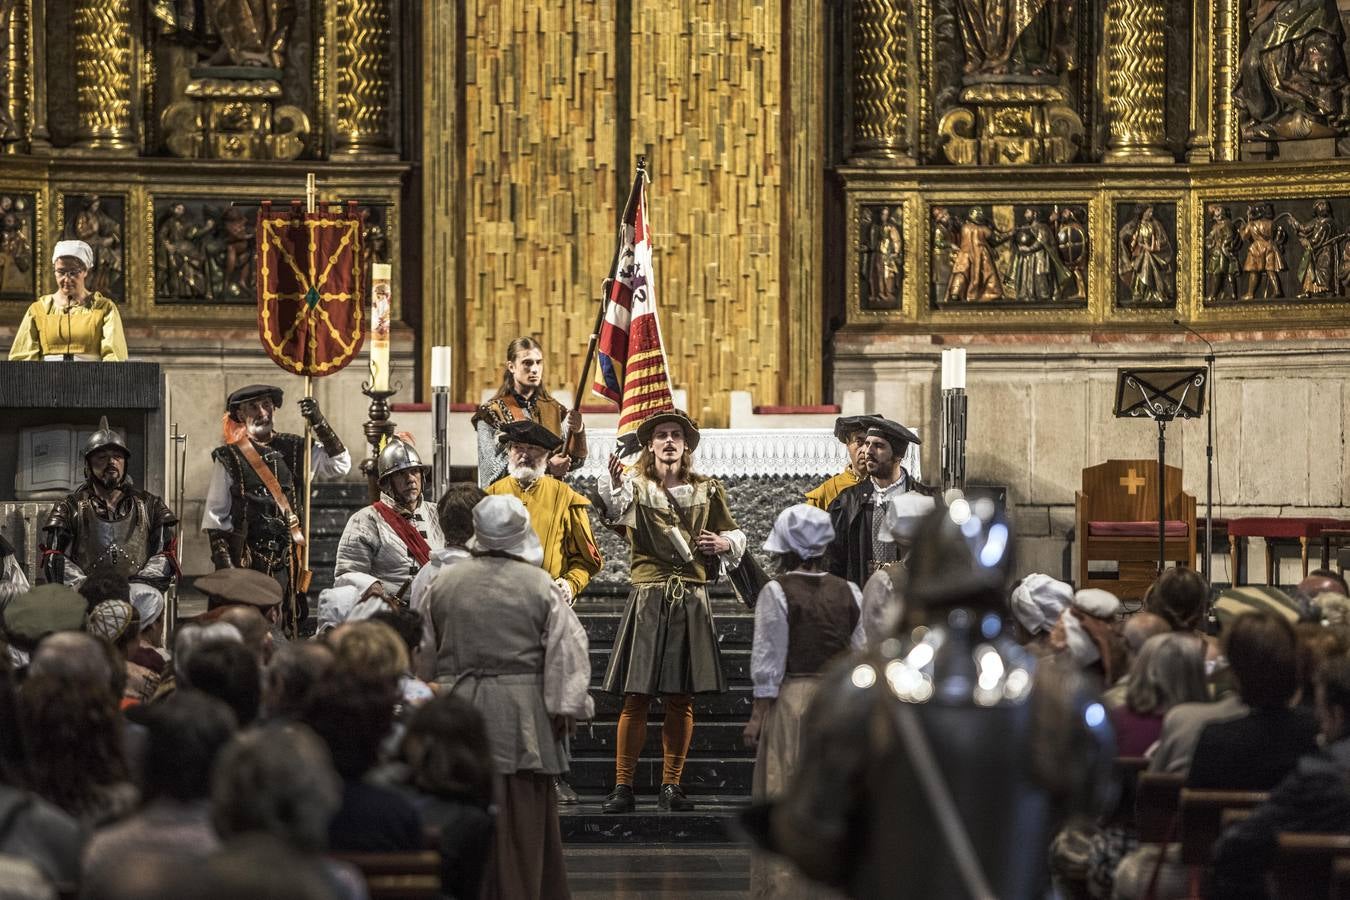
x: 539, y: 192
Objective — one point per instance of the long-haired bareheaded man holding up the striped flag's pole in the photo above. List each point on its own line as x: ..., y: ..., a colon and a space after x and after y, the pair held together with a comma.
x: 523, y: 397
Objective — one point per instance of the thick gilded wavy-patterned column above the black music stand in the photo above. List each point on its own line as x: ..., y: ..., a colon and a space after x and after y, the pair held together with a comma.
x: 1137, y: 86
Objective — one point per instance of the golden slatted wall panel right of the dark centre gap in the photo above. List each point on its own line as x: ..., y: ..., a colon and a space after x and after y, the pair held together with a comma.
x: 707, y: 88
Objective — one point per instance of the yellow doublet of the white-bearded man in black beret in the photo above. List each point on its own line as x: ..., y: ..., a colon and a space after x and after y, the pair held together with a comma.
x: 558, y: 516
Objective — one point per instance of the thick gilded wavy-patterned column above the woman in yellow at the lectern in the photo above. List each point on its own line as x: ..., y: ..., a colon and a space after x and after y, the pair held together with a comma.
x: 103, y: 53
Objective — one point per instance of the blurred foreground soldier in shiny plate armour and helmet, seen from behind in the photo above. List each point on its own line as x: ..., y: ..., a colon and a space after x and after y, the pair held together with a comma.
x: 940, y: 763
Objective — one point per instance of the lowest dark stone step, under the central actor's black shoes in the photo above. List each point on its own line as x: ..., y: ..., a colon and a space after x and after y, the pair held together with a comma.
x: 712, y: 822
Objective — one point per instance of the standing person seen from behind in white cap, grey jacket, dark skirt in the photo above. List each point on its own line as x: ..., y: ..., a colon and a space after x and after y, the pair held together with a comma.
x: 507, y: 642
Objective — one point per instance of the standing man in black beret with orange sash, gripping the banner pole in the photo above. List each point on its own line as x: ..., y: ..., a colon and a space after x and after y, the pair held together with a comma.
x: 257, y: 488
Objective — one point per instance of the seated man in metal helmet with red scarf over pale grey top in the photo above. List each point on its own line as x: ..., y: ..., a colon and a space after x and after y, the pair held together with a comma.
x: 396, y: 536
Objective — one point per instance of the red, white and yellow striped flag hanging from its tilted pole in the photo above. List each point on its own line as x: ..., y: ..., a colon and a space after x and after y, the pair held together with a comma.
x: 631, y: 368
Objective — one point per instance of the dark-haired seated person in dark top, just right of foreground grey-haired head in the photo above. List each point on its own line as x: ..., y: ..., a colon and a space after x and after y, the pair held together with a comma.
x: 353, y: 714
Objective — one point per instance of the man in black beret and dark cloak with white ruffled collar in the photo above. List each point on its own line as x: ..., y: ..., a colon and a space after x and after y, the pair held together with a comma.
x: 862, y: 542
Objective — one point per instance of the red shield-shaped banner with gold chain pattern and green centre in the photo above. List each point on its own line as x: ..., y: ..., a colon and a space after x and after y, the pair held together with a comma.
x: 310, y: 289
